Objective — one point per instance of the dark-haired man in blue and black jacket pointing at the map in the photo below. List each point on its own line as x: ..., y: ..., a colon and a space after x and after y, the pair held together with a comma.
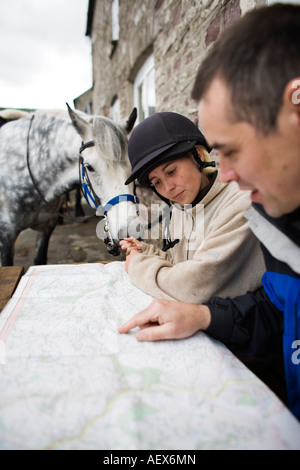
x: 248, y: 90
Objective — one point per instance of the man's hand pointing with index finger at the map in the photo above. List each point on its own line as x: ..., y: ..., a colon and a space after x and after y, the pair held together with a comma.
x: 168, y: 319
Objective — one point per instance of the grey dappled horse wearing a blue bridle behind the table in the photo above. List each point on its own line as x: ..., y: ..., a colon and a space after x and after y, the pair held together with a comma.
x: 39, y: 161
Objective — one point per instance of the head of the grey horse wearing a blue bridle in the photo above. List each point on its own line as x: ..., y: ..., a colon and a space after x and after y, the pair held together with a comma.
x: 104, y: 169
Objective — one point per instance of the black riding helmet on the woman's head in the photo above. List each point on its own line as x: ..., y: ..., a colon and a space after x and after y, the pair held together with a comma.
x: 159, y: 138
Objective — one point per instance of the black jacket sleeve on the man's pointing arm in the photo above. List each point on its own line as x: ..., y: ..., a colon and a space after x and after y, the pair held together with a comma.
x: 249, y: 325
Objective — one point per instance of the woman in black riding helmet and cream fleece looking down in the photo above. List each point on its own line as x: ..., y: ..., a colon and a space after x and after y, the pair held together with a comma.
x: 213, y: 251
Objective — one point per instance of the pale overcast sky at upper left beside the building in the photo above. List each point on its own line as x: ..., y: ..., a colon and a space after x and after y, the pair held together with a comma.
x: 45, y: 56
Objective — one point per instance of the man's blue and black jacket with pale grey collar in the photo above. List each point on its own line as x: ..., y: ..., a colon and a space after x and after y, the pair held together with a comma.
x: 256, y: 323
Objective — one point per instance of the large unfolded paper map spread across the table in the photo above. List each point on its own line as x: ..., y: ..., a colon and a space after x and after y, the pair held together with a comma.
x: 69, y: 380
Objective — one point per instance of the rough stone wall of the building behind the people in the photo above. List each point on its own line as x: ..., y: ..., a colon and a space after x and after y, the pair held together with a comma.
x: 178, y: 32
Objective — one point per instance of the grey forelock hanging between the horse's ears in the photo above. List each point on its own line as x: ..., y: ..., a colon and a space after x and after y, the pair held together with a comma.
x: 111, y: 138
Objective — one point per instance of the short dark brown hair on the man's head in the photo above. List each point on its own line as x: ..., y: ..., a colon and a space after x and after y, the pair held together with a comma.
x: 255, y: 57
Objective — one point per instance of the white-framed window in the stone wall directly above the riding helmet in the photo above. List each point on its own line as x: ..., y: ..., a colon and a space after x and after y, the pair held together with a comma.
x: 144, y: 90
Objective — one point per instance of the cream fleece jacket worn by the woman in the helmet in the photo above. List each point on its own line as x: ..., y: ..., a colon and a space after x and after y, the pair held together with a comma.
x: 217, y: 255
